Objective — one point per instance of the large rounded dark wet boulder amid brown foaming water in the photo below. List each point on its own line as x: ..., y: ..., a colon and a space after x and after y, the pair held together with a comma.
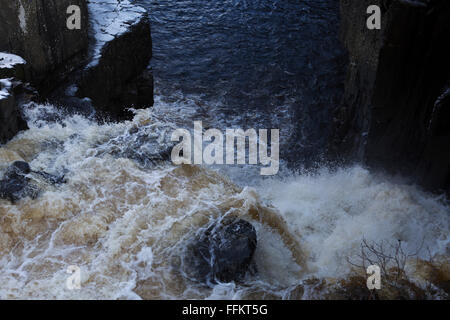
x: 223, y: 253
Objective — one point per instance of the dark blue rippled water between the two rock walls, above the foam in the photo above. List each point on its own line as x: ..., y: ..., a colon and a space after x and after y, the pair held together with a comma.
x: 252, y: 64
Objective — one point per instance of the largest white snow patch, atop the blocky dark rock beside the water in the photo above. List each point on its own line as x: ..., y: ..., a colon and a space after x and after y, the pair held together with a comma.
x: 110, y: 18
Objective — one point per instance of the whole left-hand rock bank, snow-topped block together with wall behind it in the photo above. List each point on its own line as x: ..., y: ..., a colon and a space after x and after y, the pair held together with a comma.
x: 104, y: 62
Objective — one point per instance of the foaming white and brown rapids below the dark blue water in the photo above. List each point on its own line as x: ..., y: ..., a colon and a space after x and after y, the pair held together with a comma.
x: 124, y: 222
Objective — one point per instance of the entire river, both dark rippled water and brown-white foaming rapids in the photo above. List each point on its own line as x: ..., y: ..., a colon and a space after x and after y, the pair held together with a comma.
x: 125, y: 214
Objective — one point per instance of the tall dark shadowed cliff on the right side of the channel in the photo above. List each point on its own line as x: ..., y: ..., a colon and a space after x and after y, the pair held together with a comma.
x: 395, y: 114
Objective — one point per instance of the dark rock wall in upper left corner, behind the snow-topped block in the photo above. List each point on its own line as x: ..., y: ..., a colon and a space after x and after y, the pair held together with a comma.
x: 36, y: 30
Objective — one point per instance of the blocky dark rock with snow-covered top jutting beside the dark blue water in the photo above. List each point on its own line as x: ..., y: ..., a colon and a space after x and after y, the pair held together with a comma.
x: 117, y: 77
